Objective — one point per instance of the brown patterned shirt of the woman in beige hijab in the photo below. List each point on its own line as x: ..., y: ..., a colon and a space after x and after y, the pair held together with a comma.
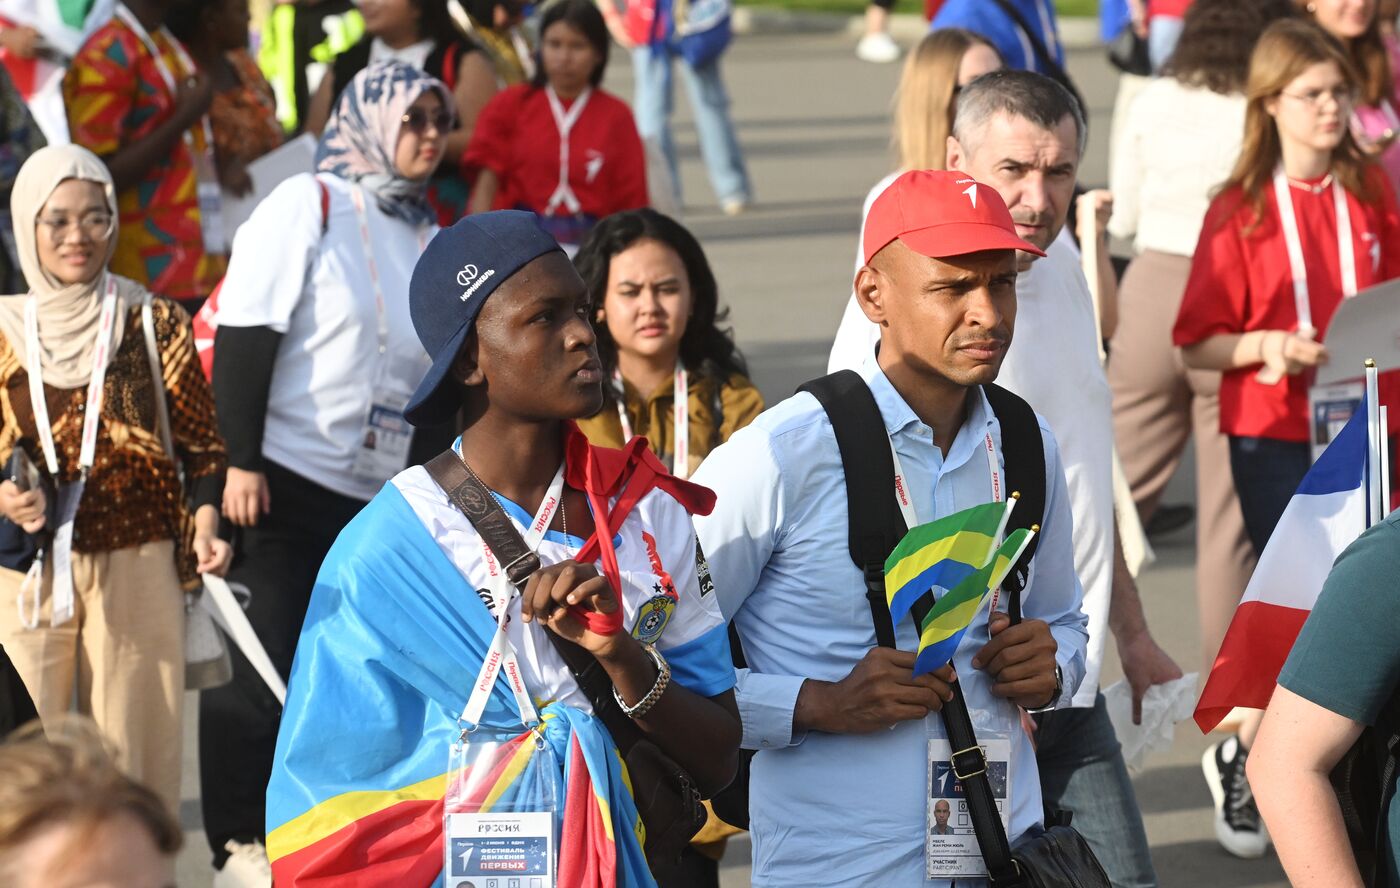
x: 134, y: 494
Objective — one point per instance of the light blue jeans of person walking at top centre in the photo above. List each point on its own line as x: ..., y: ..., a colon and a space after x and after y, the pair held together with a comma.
x: 653, y: 106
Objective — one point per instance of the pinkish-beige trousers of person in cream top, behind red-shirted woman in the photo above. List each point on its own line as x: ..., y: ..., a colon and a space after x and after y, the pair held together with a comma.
x: 1158, y: 407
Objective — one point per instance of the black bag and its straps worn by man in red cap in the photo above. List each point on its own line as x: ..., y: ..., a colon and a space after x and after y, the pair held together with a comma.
x: 1059, y: 858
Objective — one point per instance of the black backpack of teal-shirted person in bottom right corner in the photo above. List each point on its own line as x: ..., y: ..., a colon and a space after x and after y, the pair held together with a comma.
x: 1366, y: 784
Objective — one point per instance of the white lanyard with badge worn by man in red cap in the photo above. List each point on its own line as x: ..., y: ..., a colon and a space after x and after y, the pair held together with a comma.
x: 951, y: 849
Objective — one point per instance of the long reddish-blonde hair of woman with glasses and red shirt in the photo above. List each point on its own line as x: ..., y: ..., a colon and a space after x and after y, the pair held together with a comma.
x: 1284, y: 53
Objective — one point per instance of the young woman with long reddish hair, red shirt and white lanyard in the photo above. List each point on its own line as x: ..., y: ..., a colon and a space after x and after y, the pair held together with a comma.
x: 1304, y: 222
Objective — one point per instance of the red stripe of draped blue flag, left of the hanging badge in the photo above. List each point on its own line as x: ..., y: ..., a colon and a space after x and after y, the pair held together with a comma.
x: 401, y: 845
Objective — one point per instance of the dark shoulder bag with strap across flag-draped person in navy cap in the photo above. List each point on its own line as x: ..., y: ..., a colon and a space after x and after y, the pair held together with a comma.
x: 667, y: 798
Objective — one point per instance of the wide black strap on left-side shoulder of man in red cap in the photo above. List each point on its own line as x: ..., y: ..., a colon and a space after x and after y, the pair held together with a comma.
x: 874, y: 519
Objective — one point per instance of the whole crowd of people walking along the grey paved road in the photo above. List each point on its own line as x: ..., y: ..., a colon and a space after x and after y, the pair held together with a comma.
x: 458, y: 414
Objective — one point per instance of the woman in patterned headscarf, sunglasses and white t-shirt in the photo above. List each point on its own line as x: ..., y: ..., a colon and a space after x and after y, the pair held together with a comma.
x: 314, y: 362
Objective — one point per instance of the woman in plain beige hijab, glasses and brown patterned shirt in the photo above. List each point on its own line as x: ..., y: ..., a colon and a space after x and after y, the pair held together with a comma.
x: 72, y: 351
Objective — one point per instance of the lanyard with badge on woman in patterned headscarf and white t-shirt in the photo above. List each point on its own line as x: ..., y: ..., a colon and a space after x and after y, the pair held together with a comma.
x: 386, y: 435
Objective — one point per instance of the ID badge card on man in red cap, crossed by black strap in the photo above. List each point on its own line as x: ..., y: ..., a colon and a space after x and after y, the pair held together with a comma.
x: 951, y: 848
